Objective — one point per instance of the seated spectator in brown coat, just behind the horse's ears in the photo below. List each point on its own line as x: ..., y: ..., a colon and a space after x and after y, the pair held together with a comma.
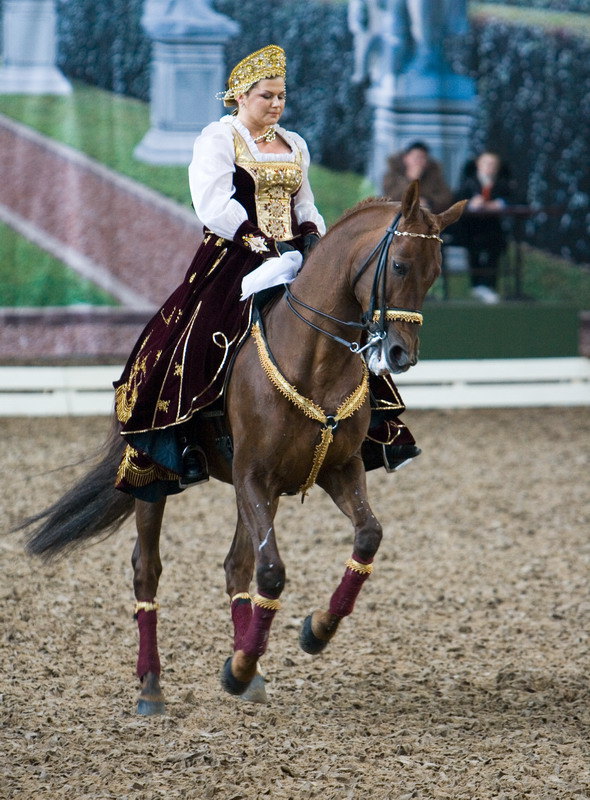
x: 415, y: 163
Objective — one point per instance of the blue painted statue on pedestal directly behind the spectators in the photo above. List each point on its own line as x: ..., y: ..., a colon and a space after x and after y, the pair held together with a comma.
x: 413, y: 91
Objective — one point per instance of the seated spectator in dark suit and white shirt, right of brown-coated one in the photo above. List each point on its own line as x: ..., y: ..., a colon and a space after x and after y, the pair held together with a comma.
x: 487, y: 186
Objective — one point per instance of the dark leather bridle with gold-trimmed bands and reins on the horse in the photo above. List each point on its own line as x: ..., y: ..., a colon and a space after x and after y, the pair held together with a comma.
x: 378, y: 316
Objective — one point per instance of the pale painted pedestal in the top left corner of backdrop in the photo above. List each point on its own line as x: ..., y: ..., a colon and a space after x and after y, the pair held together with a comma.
x: 29, y: 49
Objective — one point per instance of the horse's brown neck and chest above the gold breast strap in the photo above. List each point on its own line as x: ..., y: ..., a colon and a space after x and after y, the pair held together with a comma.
x: 320, y: 367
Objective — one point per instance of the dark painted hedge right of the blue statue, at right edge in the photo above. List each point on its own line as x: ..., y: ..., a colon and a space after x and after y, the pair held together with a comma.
x: 534, y: 86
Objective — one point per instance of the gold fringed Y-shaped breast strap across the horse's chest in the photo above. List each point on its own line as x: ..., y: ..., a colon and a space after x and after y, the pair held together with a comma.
x: 309, y: 408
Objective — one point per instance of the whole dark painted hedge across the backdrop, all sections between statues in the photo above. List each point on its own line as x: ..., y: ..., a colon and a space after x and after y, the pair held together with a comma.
x: 534, y: 87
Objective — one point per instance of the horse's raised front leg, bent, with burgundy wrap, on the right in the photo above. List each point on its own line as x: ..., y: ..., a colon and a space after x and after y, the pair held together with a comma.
x: 347, y: 487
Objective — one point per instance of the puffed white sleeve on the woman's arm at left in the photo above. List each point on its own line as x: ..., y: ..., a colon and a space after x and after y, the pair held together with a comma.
x: 211, y: 181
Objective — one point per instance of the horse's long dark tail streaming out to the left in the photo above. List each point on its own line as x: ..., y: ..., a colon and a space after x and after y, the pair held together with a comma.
x: 90, y: 507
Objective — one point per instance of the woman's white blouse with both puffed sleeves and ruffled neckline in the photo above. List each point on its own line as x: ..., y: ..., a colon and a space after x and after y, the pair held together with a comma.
x: 211, y: 177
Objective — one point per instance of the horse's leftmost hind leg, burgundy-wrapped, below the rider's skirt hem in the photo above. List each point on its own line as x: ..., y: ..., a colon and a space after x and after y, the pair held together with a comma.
x: 147, y: 569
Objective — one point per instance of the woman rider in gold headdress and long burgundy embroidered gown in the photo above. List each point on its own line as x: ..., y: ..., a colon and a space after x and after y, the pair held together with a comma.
x: 250, y: 189
